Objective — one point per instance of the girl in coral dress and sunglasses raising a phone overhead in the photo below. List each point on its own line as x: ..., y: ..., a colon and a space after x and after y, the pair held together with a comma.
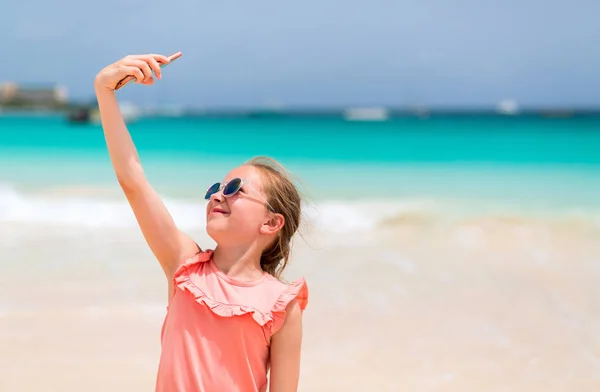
x: 229, y: 319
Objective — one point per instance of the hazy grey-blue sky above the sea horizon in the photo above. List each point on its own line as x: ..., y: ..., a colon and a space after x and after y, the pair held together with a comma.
x: 311, y: 53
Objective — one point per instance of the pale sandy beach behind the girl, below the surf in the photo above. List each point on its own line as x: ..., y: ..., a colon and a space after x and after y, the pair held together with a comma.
x: 475, y: 305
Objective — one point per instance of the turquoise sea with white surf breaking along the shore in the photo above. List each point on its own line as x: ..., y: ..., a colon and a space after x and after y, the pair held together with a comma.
x: 504, y: 164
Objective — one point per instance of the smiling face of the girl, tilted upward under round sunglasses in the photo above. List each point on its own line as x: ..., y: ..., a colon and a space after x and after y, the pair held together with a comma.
x: 242, y: 217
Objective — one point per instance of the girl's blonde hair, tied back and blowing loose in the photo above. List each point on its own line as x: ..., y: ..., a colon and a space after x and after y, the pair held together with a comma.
x: 284, y: 198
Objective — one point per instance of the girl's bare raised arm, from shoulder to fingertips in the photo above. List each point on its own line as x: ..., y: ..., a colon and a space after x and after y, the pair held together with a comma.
x: 170, y: 246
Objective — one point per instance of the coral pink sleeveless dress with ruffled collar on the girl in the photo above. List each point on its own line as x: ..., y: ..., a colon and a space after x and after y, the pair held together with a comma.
x: 217, y: 331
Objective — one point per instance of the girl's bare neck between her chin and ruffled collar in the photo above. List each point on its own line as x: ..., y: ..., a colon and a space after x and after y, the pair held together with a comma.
x: 242, y: 263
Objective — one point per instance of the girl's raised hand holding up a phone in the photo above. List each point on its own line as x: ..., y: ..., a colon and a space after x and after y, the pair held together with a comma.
x: 138, y: 66
